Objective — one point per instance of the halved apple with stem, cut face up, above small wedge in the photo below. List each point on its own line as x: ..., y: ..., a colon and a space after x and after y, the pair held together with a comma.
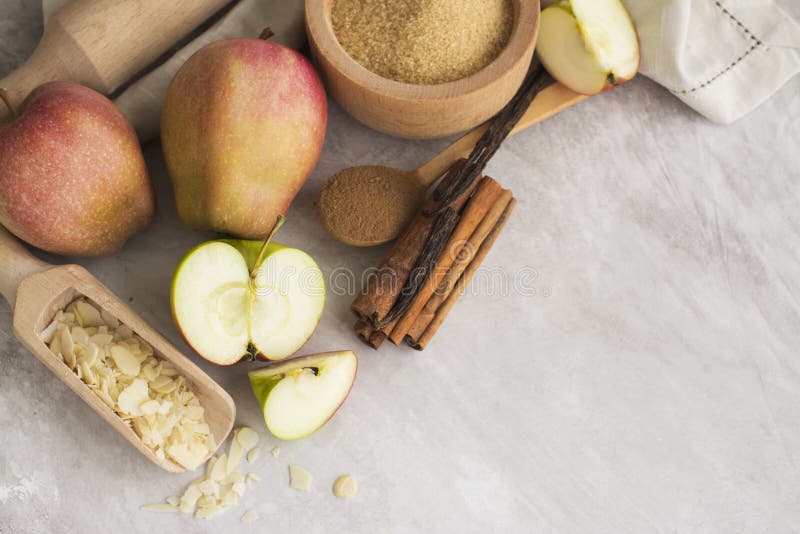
x: 227, y: 312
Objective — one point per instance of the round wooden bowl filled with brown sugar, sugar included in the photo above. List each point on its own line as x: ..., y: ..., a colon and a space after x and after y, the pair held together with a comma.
x: 422, y: 69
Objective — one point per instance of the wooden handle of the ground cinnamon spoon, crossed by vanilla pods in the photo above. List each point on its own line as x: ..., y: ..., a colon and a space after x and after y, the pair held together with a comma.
x: 547, y: 103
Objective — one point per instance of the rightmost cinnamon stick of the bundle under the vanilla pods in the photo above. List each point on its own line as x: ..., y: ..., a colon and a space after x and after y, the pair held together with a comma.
x: 462, y: 261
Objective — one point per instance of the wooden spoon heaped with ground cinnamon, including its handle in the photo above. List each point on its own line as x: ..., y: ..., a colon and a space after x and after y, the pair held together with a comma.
x: 395, y: 195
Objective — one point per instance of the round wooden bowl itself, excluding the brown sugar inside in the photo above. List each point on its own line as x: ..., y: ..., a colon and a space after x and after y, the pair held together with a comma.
x: 421, y: 111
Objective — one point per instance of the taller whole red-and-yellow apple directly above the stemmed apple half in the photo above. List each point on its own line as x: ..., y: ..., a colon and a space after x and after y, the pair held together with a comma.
x: 242, y: 128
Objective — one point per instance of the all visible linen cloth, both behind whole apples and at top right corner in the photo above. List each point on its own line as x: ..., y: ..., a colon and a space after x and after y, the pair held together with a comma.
x: 721, y: 57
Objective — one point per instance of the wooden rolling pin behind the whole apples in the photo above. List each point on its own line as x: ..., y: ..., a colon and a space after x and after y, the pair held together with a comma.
x: 104, y: 43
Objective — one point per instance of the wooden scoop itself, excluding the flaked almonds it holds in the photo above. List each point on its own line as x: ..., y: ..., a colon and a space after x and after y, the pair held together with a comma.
x: 36, y: 291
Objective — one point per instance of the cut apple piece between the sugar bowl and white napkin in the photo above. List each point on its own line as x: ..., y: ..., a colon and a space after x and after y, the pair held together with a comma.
x: 588, y: 45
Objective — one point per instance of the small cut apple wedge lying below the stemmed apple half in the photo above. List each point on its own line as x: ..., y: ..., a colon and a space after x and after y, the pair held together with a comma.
x: 300, y: 395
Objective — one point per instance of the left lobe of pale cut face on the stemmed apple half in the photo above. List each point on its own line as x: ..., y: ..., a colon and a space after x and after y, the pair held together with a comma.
x: 210, y: 302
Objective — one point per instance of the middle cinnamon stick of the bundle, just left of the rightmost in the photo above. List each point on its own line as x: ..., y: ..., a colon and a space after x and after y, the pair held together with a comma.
x: 486, y: 194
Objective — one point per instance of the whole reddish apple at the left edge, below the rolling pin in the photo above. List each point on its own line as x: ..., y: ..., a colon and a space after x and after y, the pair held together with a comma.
x: 73, y: 179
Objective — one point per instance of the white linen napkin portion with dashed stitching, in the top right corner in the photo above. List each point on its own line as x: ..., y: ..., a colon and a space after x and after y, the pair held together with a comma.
x: 721, y: 57
